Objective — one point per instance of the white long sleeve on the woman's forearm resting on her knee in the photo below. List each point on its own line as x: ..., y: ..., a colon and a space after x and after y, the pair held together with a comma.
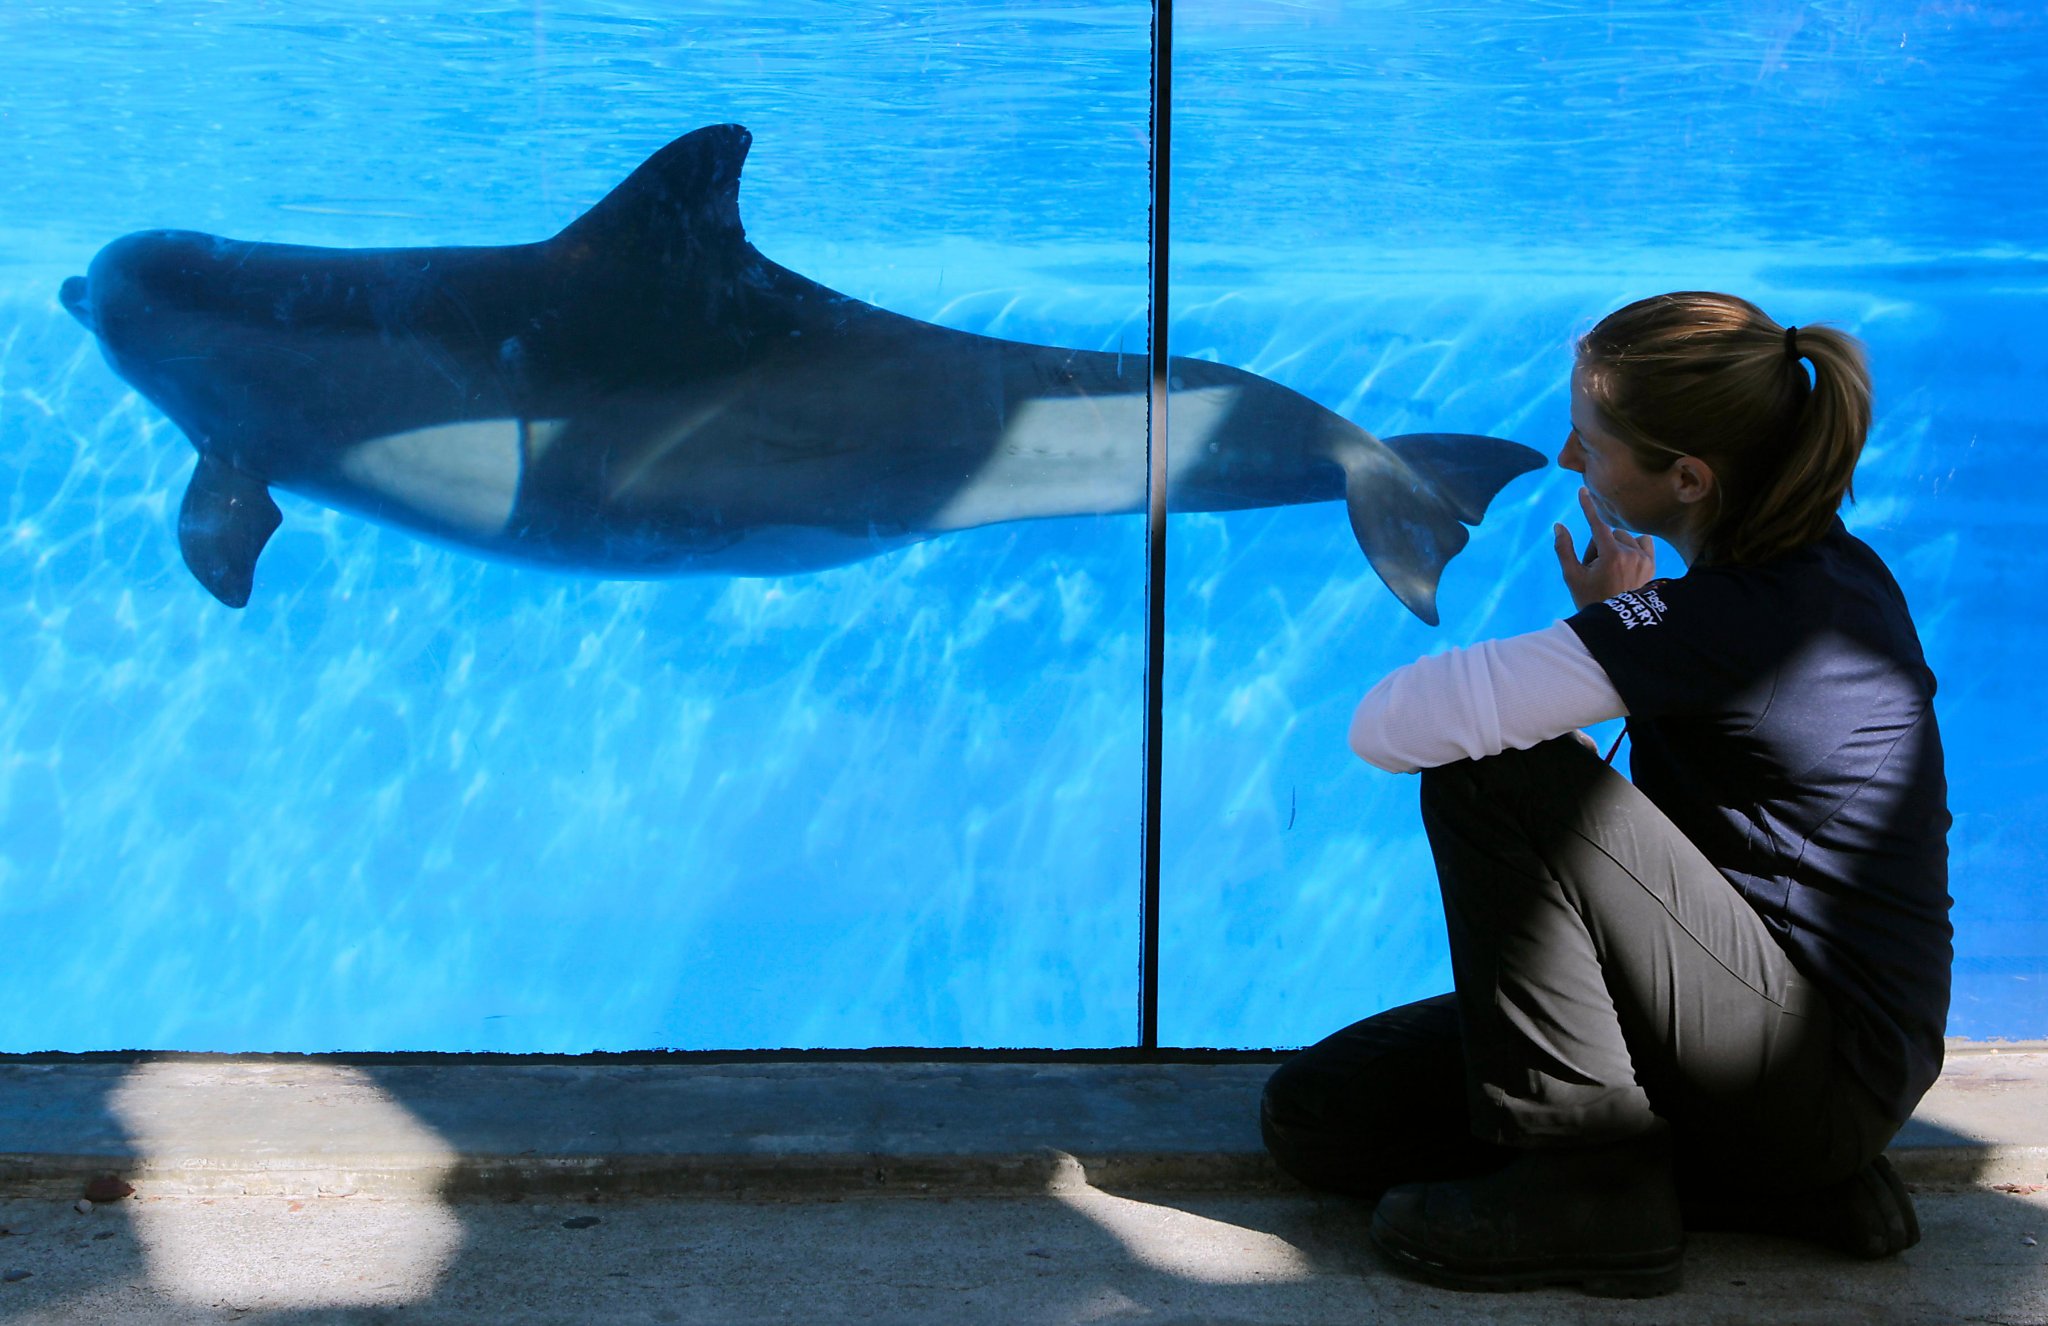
x: 1484, y: 700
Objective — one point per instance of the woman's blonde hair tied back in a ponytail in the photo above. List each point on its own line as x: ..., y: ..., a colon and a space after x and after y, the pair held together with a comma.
x: 1711, y: 376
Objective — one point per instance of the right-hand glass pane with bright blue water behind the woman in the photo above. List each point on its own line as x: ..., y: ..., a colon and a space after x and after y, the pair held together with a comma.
x: 1410, y: 212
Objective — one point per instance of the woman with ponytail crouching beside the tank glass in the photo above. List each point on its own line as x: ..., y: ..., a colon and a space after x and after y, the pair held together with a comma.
x: 1711, y: 995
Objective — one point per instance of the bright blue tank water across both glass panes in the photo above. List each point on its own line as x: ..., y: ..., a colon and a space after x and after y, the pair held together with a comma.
x: 419, y: 800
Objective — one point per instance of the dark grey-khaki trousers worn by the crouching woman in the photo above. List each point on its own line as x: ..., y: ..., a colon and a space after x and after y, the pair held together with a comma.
x: 1609, y: 983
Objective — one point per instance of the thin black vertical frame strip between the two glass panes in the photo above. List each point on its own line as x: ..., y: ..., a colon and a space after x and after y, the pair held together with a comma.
x: 1156, y: 442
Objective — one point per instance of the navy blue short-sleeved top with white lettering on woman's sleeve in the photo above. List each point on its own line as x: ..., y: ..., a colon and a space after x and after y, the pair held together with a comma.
x: 1783, y: 718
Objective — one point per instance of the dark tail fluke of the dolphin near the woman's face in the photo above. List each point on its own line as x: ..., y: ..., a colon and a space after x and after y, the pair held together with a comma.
x: 1412, y: 522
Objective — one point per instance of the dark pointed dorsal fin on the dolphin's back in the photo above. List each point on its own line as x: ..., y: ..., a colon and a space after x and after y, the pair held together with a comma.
x: 687, y: 194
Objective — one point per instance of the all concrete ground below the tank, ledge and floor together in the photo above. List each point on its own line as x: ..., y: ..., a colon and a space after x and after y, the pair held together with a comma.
x: 816, y: 1192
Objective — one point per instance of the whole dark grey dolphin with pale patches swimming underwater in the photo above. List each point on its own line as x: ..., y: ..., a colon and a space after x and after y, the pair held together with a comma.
x: 646, y: 395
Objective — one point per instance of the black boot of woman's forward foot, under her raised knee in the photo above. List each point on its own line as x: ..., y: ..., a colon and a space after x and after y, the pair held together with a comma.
x: 1601, y: 1216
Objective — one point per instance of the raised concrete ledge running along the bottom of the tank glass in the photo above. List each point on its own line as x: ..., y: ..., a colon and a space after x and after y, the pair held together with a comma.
x: 310, y: 1128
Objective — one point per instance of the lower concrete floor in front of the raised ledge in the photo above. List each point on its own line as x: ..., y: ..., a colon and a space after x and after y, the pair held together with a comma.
x: 1072, y: 1257
